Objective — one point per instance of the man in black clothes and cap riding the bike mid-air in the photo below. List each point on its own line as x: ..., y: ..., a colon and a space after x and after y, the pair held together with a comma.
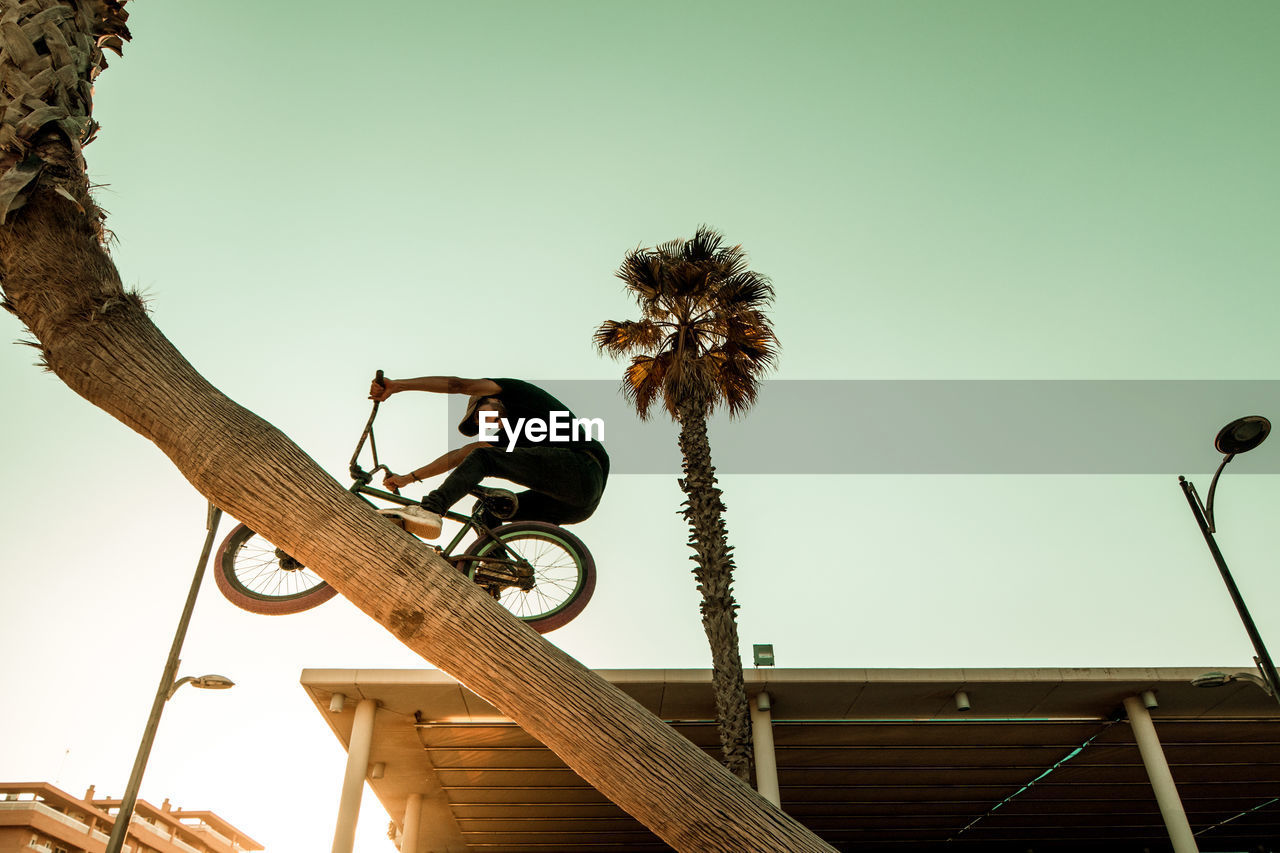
x: 565, y: 480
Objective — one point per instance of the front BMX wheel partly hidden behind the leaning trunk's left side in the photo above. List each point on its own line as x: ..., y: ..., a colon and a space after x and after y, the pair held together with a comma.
x: 258, y: 577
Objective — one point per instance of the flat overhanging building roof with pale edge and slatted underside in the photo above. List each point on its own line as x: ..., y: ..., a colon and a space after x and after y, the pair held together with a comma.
x: 868, y: 760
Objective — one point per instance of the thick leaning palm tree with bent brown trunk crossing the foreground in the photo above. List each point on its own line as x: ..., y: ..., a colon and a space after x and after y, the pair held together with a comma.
x: 98, y: 339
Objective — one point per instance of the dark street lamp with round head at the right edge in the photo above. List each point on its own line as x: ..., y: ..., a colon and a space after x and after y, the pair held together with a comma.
x: 1238, y: 437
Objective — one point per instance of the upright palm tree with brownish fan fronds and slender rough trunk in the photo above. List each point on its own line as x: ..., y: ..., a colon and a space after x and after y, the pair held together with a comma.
x: 702, y: 340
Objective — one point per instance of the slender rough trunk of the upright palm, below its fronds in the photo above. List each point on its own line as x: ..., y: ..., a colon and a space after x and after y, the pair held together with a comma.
x: 715, y: 573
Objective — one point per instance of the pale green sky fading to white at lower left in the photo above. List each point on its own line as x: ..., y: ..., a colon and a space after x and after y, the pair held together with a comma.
x: 947, y: 191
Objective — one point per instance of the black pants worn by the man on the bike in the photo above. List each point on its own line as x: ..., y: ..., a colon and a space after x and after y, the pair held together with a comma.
x: 565, y: 486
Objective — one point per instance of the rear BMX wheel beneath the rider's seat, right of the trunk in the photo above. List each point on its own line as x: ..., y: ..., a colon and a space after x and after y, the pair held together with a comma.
x: 564, y: 573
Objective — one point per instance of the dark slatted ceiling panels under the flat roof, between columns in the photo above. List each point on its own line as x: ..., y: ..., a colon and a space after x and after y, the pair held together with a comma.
x: 922, y: 786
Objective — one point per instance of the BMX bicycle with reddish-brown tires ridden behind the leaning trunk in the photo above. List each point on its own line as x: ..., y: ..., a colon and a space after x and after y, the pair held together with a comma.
x: 540, y: 572
